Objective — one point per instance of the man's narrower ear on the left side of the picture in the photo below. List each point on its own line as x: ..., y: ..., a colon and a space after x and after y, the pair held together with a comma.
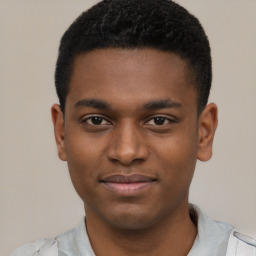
x: 58, y: 123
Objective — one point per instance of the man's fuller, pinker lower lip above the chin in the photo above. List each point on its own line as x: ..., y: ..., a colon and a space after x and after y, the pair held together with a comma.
x: 128, y: 189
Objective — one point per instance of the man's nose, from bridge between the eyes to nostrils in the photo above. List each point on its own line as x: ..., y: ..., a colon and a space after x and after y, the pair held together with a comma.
x: 127, y: 145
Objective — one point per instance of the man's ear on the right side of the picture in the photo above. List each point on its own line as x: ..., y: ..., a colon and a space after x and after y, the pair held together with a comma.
x: 207, y: 125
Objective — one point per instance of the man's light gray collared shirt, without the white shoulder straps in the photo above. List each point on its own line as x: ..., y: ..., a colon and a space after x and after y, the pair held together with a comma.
x: 212, y: 239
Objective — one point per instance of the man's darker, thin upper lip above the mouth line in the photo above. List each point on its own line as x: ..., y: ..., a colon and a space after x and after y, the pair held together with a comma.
x: 132, y: 178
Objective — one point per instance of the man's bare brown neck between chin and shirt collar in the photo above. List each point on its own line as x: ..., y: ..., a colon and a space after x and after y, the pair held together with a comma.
x: 174, y: 235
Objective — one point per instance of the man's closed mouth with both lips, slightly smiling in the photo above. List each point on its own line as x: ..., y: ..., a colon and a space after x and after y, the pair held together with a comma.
x: 128, y: 185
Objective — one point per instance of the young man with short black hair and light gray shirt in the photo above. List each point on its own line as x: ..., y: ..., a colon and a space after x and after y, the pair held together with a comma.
x: 133, y: 79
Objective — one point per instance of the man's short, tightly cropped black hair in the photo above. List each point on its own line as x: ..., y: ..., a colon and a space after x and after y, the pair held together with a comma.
x: 157, y: 24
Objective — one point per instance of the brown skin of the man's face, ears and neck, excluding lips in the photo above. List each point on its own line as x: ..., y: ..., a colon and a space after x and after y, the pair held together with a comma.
x: 134, y: 112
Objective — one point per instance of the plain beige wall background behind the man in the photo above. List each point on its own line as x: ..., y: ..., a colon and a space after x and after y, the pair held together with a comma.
x: 37, y: 198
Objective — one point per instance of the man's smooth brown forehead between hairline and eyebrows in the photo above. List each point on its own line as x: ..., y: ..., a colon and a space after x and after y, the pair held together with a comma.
x: 130, y: 75
